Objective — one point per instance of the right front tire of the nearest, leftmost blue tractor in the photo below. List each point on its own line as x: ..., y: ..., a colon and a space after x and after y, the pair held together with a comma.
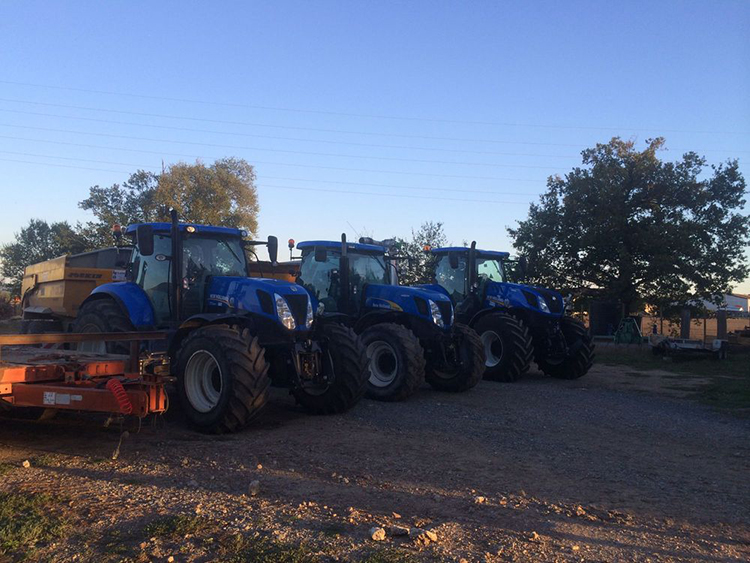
x: 345, y: 362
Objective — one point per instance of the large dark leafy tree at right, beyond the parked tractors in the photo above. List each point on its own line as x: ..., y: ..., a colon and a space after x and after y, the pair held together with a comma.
x: 638, y: 229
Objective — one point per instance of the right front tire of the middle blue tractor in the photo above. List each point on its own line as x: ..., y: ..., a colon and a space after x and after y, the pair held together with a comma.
x: 470, y: 370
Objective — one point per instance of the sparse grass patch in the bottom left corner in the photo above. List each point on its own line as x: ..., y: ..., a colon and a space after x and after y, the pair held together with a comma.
x: 27, y: 520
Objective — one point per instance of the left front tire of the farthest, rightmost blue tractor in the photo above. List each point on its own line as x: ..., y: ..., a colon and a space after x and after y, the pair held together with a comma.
x: 507, y: 345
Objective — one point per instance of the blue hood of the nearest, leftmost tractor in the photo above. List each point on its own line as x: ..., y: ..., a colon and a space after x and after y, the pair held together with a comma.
x: 258, y: 295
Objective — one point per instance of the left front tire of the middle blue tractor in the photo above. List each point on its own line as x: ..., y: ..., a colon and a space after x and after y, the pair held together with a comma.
x: 392, y: 348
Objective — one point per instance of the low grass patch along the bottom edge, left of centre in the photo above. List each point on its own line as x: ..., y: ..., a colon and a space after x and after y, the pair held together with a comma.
x: 262, y: 549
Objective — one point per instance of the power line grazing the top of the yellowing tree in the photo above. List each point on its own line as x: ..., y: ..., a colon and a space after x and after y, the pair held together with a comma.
x: 270, y: 163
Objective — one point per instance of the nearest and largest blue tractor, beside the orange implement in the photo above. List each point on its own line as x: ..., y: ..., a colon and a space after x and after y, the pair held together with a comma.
x: 229, y: 336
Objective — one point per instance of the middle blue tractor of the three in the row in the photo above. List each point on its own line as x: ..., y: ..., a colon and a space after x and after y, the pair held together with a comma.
x: 408, y: 332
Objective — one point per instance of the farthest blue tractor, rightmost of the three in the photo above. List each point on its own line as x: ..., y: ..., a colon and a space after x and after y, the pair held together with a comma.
x: 516, y: 323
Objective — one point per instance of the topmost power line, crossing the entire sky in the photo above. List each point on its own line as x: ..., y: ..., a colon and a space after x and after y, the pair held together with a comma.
x: 367, y: 116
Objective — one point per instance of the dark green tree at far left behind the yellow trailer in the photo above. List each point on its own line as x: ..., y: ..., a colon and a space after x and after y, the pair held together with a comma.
x: 36, y: 242
